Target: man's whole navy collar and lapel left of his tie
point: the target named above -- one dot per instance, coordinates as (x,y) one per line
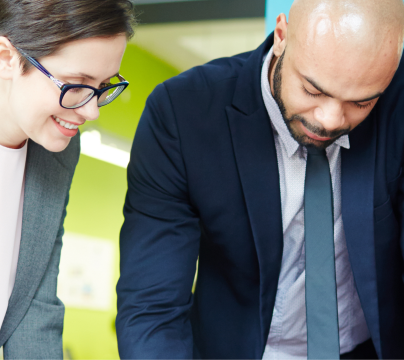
(255,154)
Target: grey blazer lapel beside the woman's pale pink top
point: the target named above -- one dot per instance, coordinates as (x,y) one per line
(46,185)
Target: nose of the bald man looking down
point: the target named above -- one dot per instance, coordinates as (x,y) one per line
(330,115)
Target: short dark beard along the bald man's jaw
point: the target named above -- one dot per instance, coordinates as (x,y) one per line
(302,139)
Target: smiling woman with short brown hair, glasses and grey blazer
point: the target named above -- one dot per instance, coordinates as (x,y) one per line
(59,62)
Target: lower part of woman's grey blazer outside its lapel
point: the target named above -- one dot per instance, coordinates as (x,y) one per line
(39,335)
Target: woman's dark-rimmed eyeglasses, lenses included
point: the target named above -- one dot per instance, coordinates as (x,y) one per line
(75,95)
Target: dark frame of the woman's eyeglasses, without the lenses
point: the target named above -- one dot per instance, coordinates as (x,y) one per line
(64,88)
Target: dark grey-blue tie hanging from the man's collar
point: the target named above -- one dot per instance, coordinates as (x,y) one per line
(321,289)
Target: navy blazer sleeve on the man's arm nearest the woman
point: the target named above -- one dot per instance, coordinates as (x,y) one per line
(159,242)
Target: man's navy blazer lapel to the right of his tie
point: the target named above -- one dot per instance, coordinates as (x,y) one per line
(357,177)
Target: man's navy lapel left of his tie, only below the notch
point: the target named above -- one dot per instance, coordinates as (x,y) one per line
(257,165)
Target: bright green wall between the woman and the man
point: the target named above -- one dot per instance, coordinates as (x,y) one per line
(97,197)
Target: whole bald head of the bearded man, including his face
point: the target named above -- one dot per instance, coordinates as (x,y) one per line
(332,62)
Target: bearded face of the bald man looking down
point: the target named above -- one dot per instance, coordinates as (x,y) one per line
(325,94)
